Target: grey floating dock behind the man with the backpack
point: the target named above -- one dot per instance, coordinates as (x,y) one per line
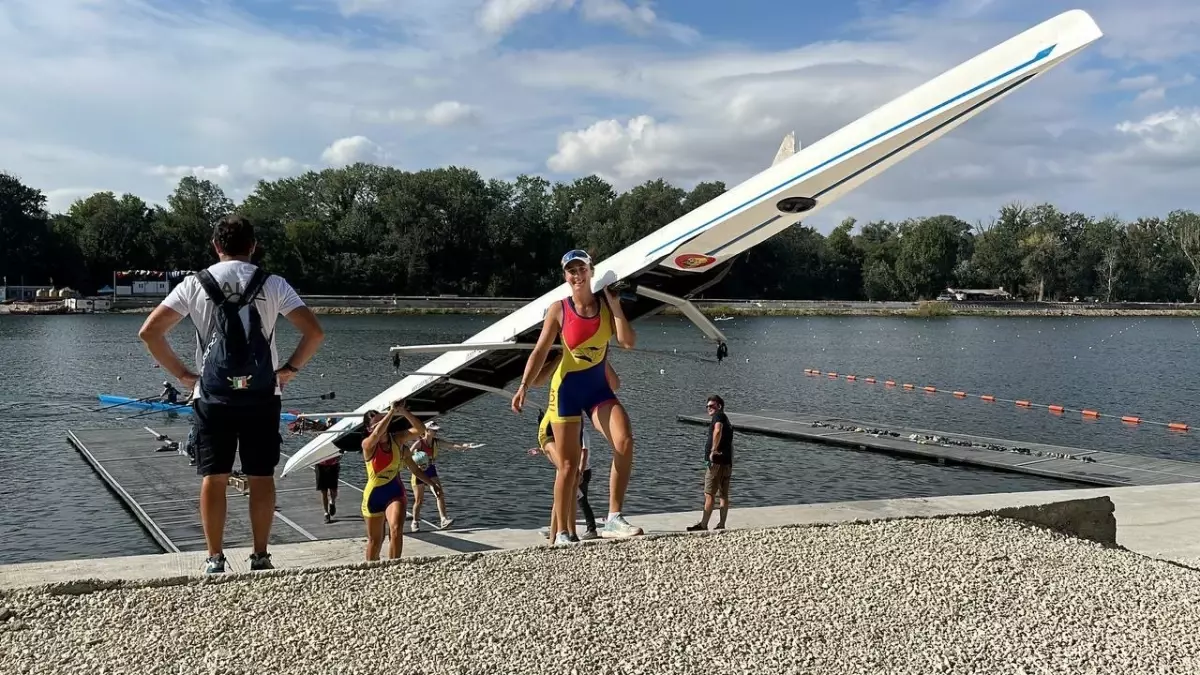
(163,491)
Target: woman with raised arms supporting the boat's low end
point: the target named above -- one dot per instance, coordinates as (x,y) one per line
(385,498)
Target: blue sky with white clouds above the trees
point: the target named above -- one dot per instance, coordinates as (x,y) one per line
(131,95)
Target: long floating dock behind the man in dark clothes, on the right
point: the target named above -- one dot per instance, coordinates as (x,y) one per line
(1093,468)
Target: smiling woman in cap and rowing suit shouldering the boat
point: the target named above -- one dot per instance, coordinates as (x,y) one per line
(585,322)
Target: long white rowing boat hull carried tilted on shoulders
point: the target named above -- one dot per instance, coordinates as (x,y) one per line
(693,253)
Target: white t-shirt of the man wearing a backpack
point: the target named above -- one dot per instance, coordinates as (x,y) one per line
(277,298)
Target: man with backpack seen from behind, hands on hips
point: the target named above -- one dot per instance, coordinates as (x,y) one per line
(235,306)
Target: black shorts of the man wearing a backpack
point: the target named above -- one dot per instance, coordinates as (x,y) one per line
(251,432)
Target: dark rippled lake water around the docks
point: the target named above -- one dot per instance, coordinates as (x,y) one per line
(52,505)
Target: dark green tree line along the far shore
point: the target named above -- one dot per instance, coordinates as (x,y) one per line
(374,230)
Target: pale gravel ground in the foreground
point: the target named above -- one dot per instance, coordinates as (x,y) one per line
(913,596)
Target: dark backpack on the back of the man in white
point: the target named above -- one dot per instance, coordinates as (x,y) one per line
(237,368)
